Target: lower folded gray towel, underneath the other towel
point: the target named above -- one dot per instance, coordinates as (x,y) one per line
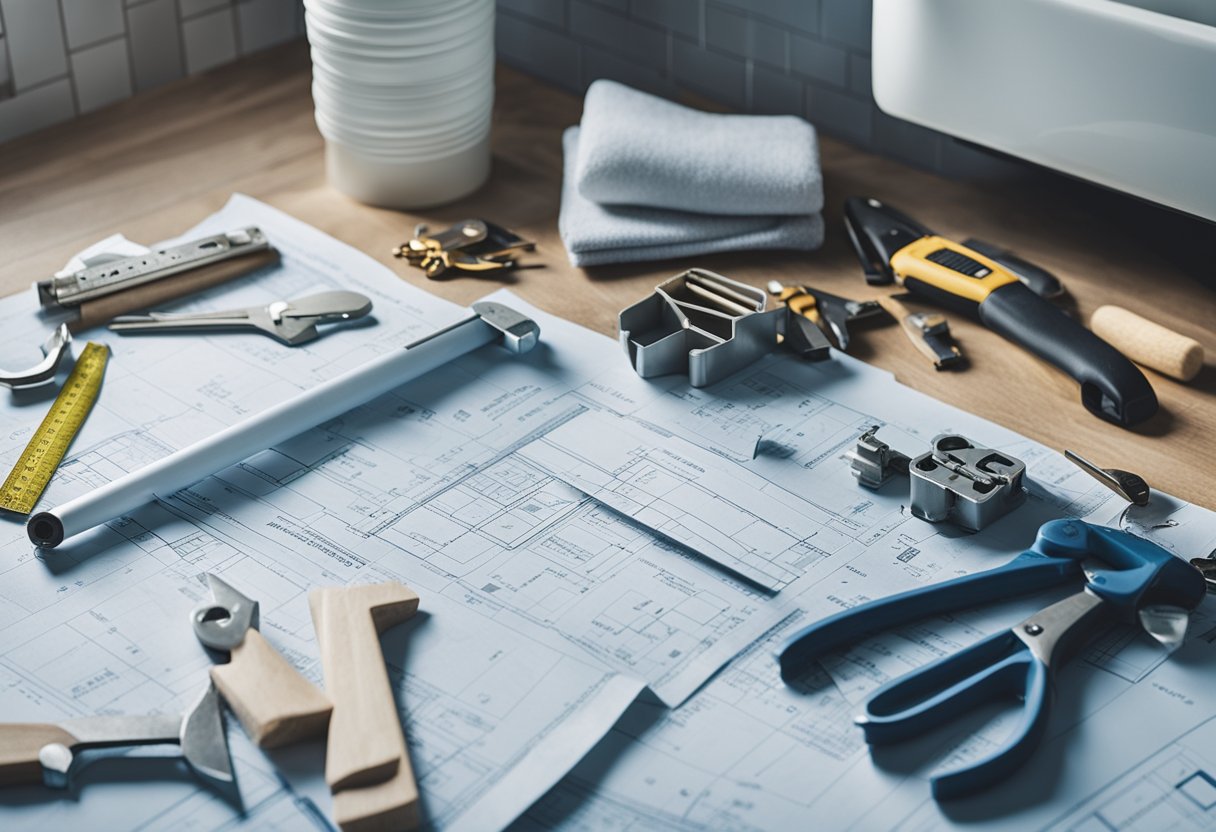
(595,234)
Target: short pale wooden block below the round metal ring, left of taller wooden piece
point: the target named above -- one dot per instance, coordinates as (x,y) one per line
(275,704)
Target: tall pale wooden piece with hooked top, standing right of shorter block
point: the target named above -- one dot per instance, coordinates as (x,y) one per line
(367,762)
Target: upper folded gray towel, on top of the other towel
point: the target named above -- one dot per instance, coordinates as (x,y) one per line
(641,150)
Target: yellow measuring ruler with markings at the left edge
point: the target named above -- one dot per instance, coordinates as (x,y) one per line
(37,464)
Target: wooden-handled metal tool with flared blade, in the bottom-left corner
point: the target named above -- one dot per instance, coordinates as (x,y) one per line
(50,752)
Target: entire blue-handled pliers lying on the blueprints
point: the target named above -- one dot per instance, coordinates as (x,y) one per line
(1124,575)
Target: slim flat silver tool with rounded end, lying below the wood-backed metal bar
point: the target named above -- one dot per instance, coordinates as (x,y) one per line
(290,322)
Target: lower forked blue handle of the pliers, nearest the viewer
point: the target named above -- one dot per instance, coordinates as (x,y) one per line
(999,667)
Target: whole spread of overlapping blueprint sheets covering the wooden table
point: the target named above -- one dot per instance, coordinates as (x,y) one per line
(604,563)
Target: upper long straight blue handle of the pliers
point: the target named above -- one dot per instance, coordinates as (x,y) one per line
(1027,574)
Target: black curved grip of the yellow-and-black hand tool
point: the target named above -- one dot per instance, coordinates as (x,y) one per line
(1112,387)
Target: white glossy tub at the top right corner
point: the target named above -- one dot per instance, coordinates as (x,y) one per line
(1112,92)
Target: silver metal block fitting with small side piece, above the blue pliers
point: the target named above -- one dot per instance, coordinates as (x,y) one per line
(956,481)
